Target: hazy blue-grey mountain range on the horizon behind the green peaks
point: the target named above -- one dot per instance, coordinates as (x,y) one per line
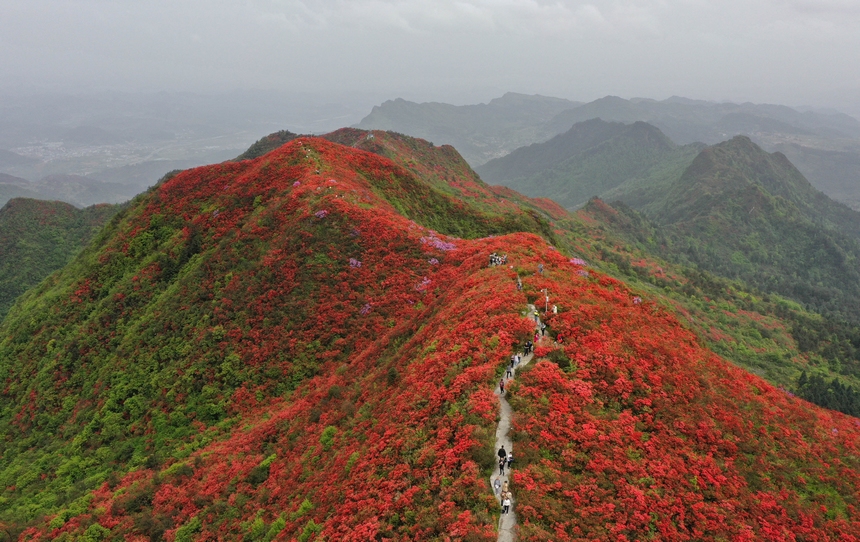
(824,146)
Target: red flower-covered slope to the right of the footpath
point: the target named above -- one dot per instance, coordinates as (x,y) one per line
(630,429)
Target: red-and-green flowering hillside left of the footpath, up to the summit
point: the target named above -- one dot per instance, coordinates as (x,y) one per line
(284,289)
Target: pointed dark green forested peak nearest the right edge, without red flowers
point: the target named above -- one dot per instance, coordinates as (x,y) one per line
(742,213)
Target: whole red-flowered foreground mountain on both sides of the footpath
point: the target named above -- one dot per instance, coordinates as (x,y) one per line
(303,346)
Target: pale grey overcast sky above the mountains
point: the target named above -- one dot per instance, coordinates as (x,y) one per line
(793,52)
